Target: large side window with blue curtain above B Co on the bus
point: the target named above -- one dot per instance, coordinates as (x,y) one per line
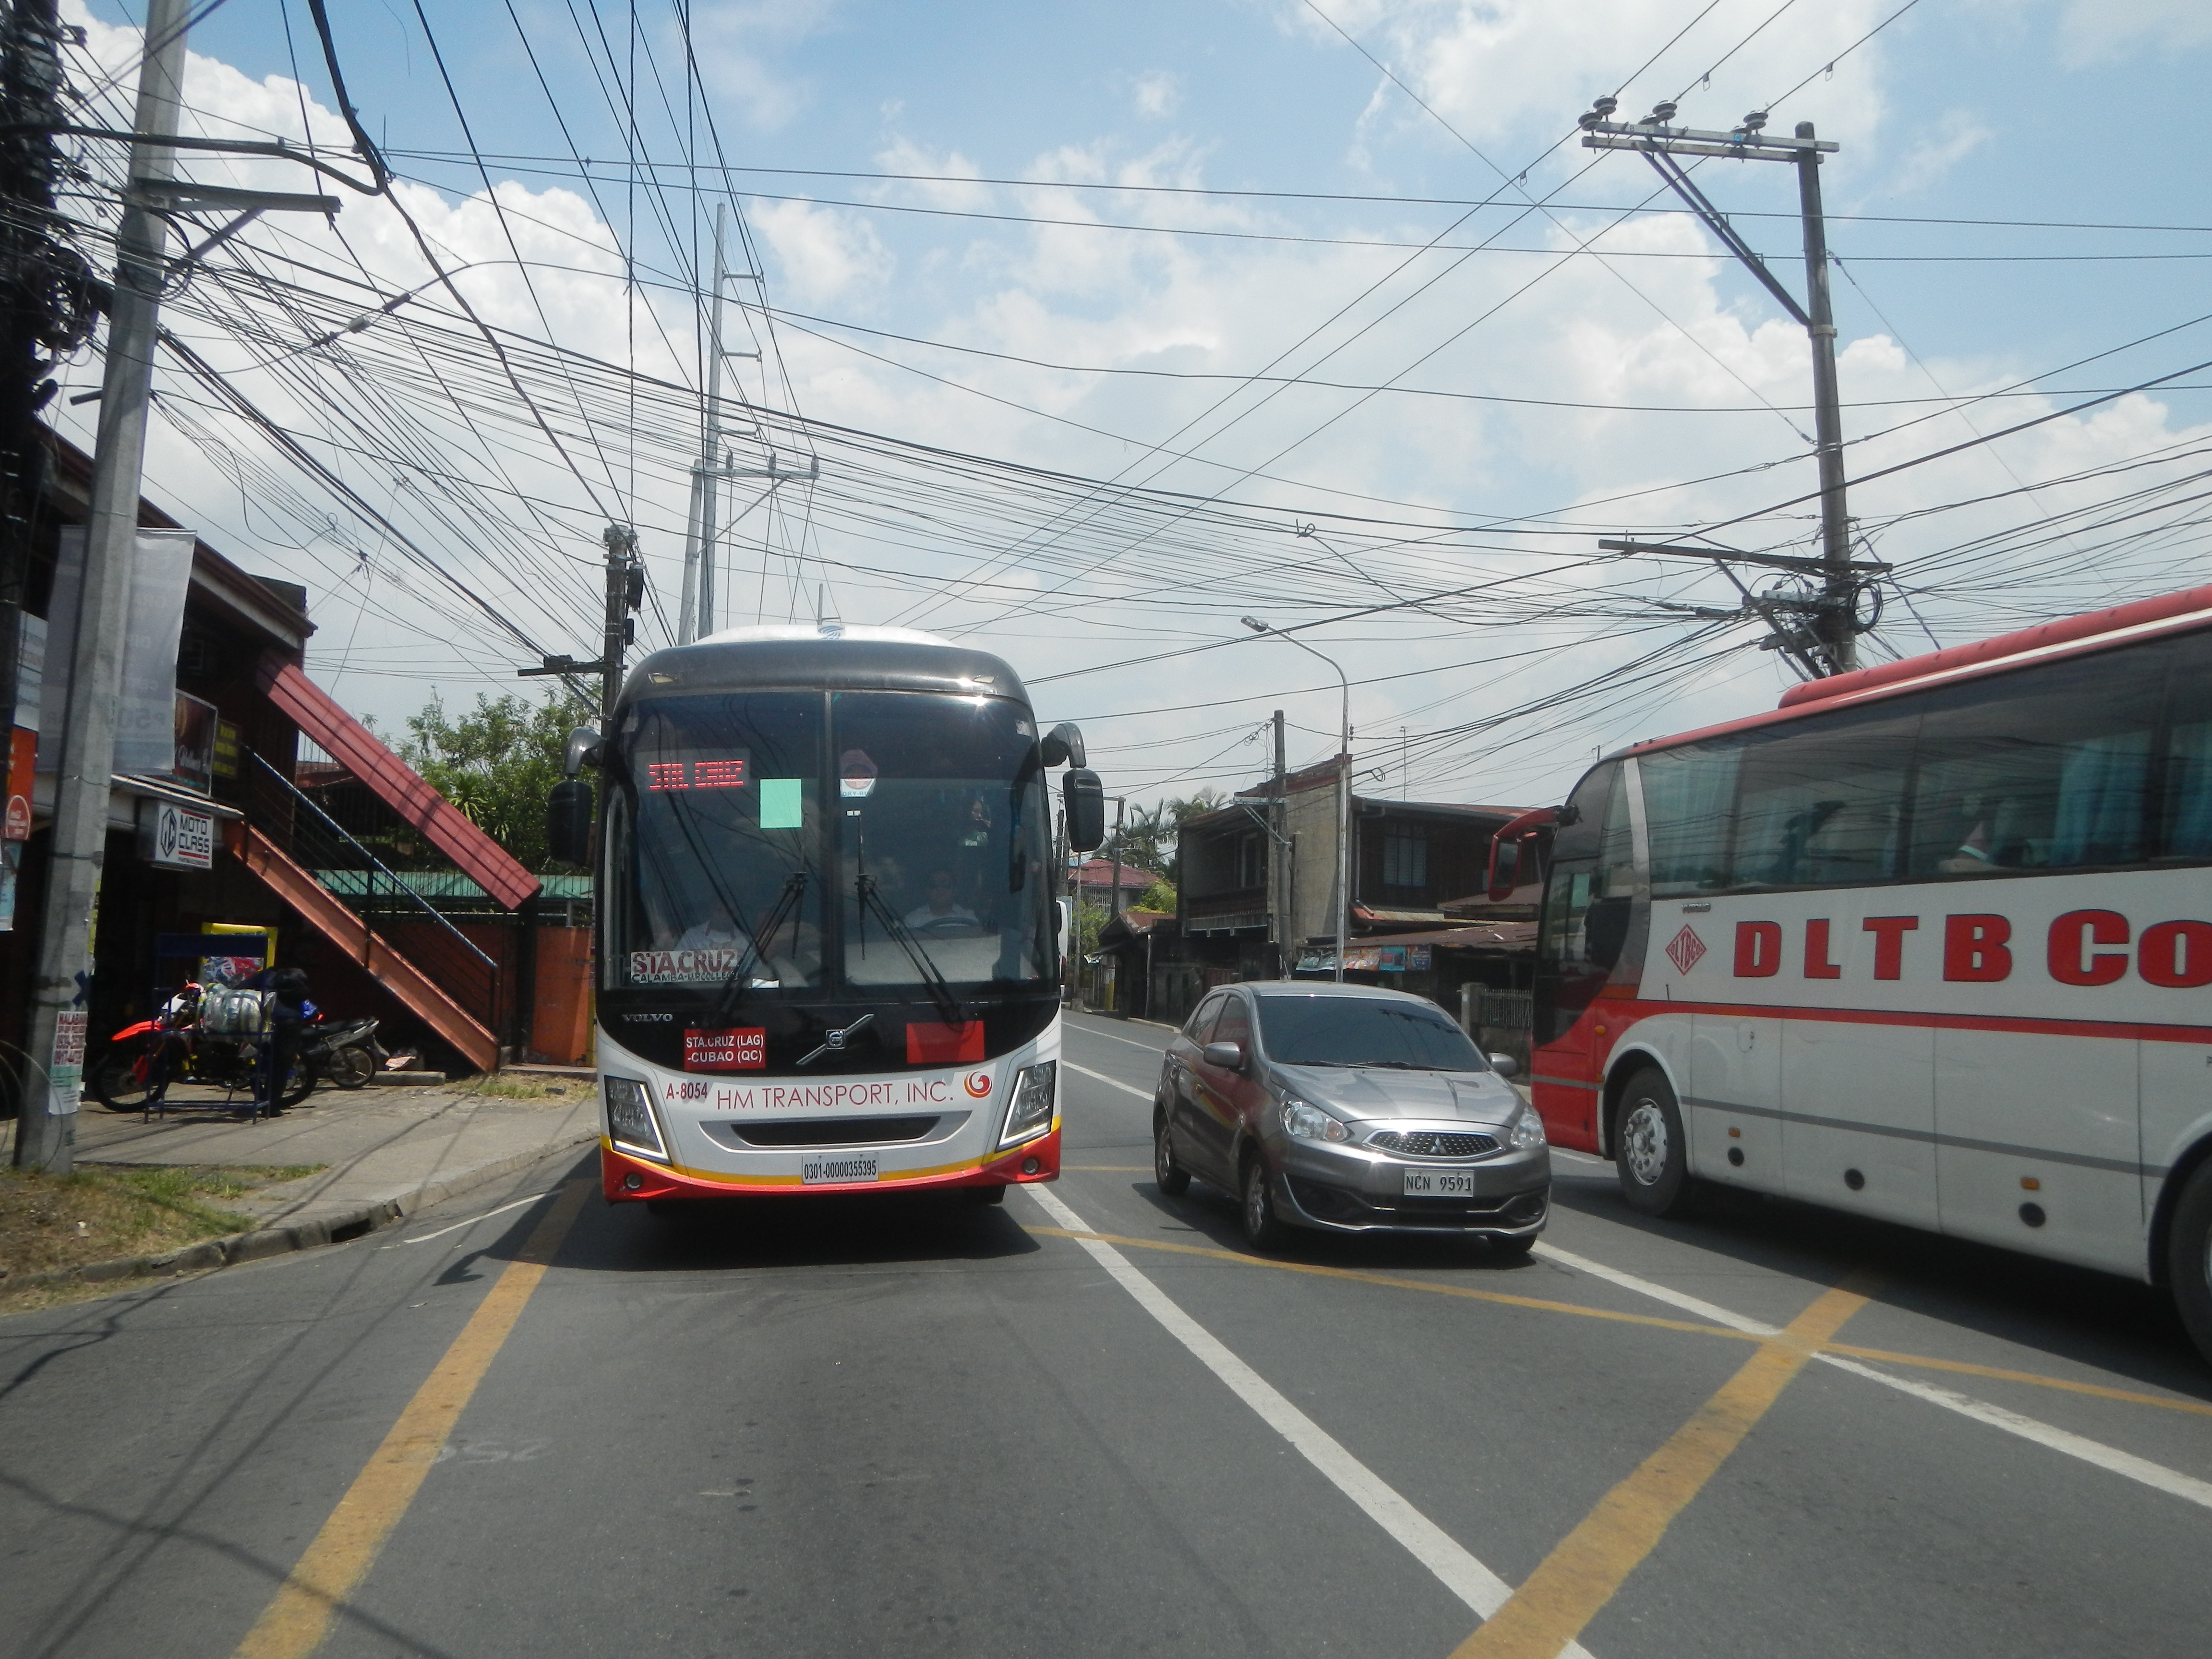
(2045,769)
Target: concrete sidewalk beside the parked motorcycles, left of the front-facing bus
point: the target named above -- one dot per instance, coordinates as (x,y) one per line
(386,1151)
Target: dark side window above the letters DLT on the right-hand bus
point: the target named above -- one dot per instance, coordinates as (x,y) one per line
(1824,804)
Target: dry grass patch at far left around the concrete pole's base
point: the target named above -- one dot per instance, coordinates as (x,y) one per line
(52,1222)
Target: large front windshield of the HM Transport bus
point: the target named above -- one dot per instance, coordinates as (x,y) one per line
(778,844)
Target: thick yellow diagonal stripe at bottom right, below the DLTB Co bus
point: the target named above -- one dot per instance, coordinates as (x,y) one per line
(1592,1563)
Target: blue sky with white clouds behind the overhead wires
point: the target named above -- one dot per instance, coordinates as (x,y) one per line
(1959,112)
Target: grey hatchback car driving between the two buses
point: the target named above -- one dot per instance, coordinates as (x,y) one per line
(1348,1109)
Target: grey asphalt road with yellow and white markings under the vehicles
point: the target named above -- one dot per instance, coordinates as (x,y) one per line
(915,1428)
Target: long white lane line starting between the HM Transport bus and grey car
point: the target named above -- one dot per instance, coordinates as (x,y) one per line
(1415,1532)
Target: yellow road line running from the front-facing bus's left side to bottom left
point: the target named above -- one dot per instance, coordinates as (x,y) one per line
(300,1616)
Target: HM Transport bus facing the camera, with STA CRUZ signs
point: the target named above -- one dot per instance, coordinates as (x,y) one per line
(828,932)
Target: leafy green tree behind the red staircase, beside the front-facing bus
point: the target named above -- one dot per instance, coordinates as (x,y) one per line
(499,764)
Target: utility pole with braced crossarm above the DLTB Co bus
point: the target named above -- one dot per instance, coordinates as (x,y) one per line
(1660,143)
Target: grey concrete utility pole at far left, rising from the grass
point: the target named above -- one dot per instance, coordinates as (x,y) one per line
(48,1120)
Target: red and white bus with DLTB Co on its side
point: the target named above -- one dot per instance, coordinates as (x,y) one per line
(1930,943)
